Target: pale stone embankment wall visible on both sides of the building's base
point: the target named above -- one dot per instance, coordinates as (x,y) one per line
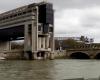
(19,54)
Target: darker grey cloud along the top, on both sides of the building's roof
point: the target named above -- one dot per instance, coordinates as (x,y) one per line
(58,4)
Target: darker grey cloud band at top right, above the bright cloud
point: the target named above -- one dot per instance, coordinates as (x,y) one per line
(76,3)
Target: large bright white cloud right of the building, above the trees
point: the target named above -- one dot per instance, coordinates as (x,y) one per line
(77,22)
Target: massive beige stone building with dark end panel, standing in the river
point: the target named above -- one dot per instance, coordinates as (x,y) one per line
(35,23)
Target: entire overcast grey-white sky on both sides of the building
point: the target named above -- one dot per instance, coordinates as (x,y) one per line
(72,17)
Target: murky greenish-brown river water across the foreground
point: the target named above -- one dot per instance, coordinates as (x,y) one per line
(49,70)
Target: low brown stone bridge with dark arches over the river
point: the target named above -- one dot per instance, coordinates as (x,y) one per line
(83,53)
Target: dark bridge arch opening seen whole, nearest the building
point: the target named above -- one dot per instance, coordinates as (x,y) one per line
(79,55)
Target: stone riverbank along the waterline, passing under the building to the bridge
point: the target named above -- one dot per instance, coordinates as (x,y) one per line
(19,54)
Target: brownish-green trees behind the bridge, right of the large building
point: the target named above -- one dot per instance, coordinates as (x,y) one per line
(71,43)
